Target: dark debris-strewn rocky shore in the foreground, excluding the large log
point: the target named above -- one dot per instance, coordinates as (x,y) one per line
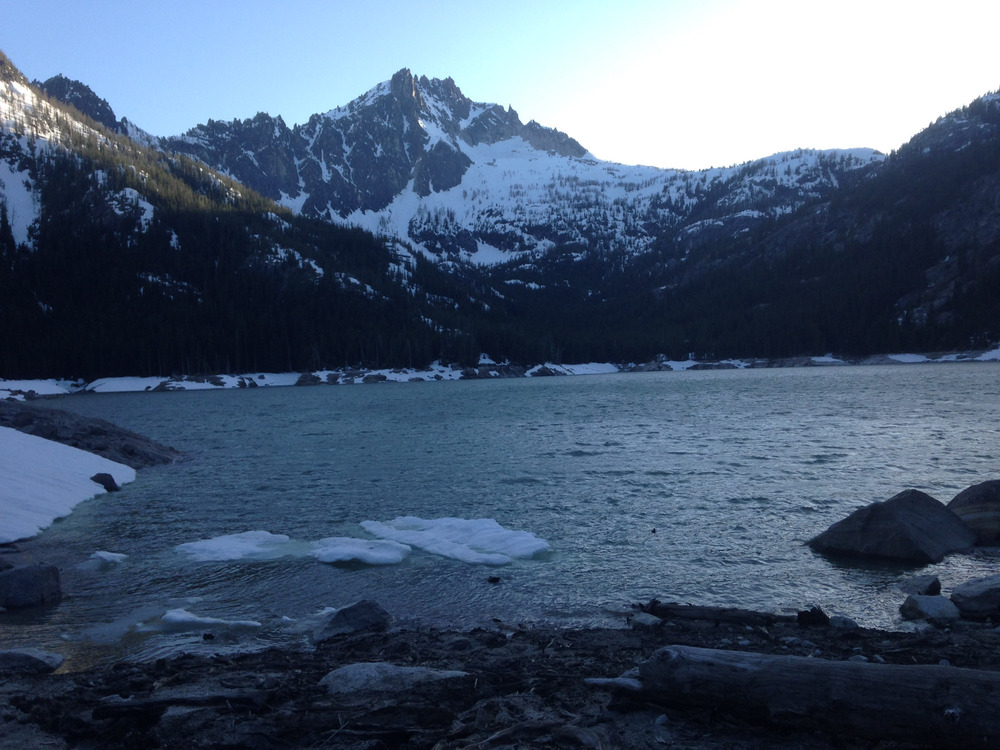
(506,687)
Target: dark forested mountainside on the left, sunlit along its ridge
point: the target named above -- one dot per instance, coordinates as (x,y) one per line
(116,258)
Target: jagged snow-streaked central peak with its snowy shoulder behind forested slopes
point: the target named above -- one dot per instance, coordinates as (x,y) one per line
(416,160)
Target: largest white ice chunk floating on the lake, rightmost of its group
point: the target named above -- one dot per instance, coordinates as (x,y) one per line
(481,540)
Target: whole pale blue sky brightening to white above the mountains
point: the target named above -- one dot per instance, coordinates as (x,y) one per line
(668,83)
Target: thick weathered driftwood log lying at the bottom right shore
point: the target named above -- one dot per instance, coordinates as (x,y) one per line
(926,704)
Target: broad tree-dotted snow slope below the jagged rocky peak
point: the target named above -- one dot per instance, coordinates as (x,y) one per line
(517,200)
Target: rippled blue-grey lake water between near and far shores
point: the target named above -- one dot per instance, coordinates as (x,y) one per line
(698,487)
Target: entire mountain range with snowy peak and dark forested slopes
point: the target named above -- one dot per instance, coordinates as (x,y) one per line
(415,224)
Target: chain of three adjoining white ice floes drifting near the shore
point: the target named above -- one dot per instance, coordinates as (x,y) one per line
(479,541)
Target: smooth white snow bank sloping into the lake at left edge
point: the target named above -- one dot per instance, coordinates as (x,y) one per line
(41,480)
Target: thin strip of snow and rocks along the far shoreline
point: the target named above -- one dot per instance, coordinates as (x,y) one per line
(486,369)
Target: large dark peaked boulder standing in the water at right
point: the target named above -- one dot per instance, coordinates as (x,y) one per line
(910,527)
